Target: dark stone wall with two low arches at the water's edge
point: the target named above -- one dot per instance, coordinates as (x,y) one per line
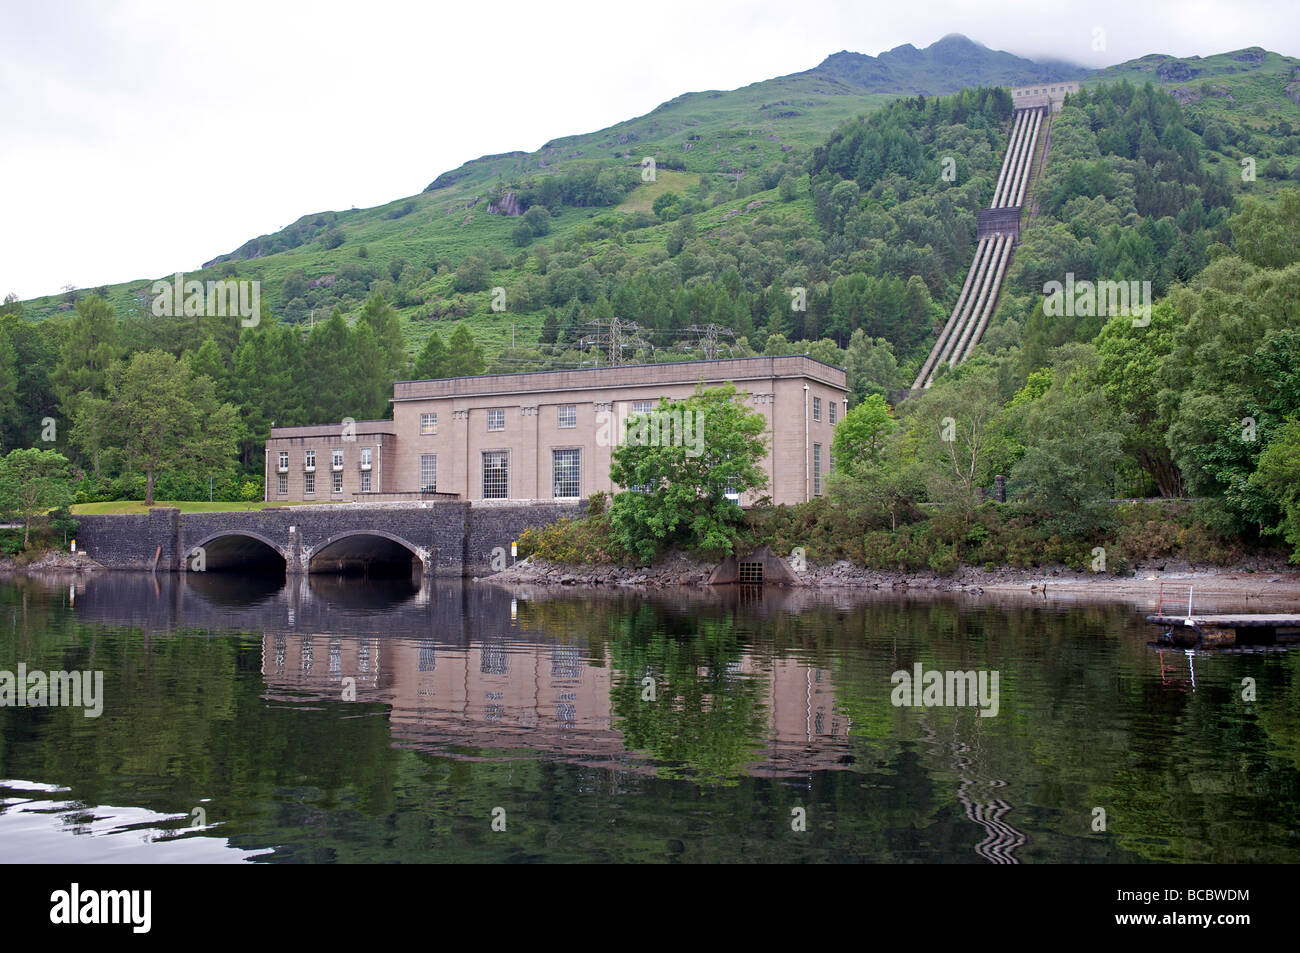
(440,539)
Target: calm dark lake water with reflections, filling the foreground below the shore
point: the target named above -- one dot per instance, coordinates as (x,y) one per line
(613,727)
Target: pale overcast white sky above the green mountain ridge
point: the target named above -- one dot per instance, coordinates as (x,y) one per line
(145,137)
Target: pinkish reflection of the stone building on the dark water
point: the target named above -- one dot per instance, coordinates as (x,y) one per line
(500,696)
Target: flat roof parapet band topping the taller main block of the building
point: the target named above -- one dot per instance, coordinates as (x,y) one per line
(626,375)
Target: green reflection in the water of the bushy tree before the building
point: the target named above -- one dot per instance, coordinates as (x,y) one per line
(708,718)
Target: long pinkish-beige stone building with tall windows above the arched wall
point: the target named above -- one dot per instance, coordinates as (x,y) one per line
(551,435)
